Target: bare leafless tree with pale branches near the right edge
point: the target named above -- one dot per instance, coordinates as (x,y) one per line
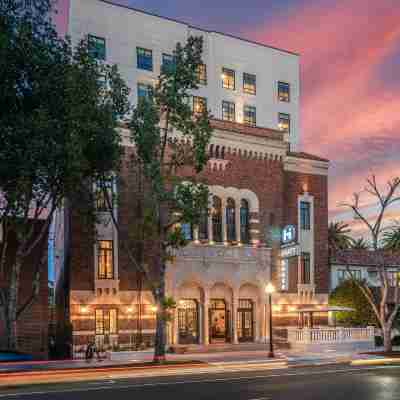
(387,304)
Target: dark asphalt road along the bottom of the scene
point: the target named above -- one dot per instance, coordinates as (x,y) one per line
(327,383)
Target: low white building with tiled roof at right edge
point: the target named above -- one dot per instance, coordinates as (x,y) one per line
(363,265)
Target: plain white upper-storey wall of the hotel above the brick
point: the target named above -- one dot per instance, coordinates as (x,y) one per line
(124,30)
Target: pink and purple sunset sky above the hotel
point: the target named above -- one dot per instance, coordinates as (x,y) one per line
(350,73)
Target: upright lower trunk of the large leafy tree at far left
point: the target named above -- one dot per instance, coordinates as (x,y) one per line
(11,314)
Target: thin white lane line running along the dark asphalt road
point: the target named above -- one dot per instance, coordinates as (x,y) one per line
(194,381)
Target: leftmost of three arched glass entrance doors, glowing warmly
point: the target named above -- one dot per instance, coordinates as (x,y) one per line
(188,322)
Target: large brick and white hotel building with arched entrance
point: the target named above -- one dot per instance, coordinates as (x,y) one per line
(269,214)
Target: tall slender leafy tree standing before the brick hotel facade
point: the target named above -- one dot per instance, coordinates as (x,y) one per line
(170,141)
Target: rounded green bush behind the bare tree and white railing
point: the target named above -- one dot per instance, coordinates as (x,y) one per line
(348,294)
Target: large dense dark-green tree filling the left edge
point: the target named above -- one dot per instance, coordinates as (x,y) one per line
(59,110)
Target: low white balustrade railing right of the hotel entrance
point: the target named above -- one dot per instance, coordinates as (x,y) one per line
(331,335)
